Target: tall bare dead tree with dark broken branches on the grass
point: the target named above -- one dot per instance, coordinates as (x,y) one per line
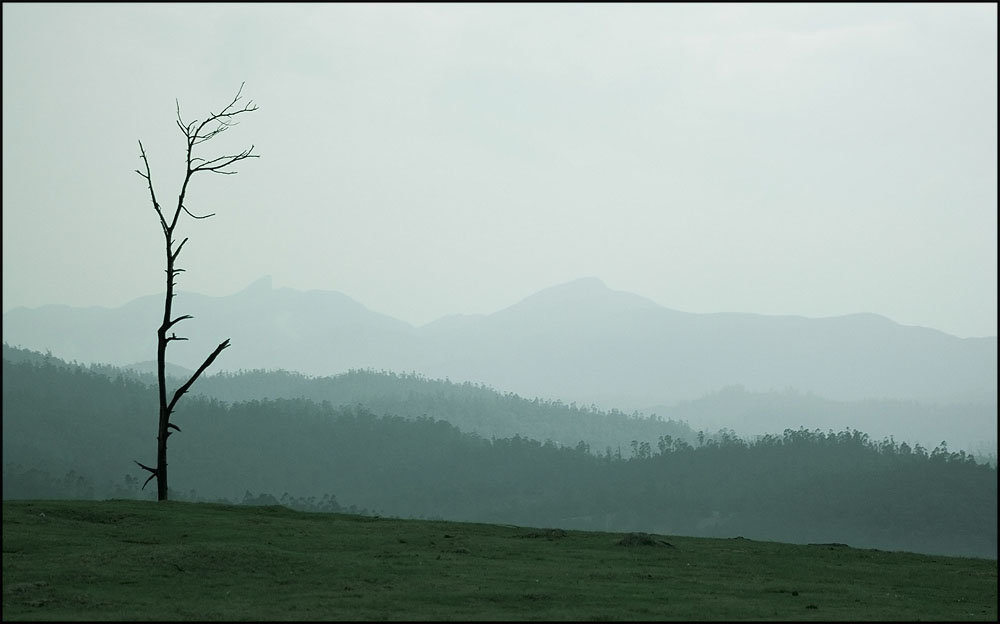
(196,133)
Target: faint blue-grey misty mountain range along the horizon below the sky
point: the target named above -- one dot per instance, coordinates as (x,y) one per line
(579,341)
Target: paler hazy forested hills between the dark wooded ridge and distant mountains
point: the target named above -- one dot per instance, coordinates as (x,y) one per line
(483,410)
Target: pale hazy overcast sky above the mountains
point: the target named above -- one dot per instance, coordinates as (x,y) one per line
(815,160)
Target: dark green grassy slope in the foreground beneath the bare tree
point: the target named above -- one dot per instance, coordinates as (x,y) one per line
(130,560)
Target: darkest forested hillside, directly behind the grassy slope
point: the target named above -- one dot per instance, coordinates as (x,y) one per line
(796,486)
